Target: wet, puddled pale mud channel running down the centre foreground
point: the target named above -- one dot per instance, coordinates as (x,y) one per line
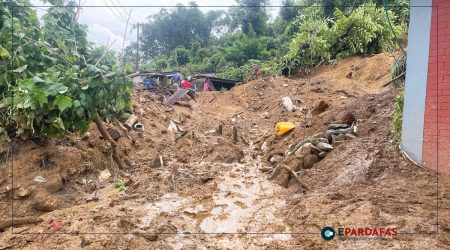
(242,210)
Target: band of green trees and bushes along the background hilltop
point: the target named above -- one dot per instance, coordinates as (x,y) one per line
(304,34)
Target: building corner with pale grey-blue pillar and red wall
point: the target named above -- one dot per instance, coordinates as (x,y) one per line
(426,115)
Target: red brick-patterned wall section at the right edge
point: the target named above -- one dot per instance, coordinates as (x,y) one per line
(436,142)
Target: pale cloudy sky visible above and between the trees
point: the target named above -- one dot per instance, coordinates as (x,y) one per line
(108,23)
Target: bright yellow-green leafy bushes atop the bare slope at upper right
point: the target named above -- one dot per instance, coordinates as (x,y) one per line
(364,31)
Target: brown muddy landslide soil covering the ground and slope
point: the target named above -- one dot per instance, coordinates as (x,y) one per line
(191,187)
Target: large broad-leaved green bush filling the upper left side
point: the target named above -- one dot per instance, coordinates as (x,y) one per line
(52,79)
